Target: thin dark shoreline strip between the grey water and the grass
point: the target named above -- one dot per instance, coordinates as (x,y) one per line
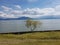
(30,32)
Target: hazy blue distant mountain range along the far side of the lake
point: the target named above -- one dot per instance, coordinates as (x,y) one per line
(41,17)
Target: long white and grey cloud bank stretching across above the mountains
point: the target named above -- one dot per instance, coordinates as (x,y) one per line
(30,12)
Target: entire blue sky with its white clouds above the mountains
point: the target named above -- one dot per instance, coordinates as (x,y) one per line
(29,8)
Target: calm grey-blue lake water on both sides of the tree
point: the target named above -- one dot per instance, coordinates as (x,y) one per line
(19,25)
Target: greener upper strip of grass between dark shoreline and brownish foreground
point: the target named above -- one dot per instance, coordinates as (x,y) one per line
(36,35)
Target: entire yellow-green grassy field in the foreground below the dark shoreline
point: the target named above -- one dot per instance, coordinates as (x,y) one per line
(37,38)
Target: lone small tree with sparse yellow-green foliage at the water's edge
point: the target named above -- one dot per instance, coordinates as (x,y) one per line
(32,24)
